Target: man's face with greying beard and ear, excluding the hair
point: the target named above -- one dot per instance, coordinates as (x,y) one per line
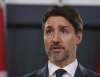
(60,39)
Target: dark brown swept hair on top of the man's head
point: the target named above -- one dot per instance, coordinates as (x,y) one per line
(68,13)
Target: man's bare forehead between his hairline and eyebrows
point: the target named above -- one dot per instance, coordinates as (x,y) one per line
(57,21)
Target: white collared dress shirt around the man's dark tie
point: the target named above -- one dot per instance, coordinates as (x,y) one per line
(71,68)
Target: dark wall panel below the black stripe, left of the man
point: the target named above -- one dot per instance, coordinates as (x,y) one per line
(25,50)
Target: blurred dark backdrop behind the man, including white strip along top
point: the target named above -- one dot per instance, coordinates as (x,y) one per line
(25,51)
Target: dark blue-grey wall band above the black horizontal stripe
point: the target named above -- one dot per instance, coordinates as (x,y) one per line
(33,14)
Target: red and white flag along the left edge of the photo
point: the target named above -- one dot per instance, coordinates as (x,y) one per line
(3,70)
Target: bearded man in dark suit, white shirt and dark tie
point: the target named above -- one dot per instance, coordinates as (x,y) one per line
(63,28)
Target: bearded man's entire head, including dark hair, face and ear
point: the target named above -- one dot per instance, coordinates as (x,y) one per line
(63,28)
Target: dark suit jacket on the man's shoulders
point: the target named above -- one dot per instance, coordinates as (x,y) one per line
(80,72)
